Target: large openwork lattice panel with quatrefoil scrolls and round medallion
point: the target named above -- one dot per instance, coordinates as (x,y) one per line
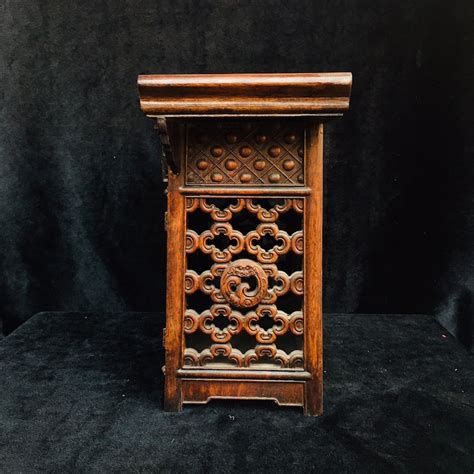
(244,283)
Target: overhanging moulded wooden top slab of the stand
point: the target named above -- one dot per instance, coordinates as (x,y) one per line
(243,94)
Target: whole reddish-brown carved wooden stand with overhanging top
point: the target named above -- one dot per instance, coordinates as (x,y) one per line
(244,172)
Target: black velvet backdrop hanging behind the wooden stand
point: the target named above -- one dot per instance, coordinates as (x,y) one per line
(81,202)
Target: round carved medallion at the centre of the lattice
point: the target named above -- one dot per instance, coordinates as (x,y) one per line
(244,283)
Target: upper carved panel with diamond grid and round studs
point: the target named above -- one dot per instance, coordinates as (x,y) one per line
(233,153)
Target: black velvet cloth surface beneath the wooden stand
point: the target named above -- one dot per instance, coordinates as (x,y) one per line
(83,393)
